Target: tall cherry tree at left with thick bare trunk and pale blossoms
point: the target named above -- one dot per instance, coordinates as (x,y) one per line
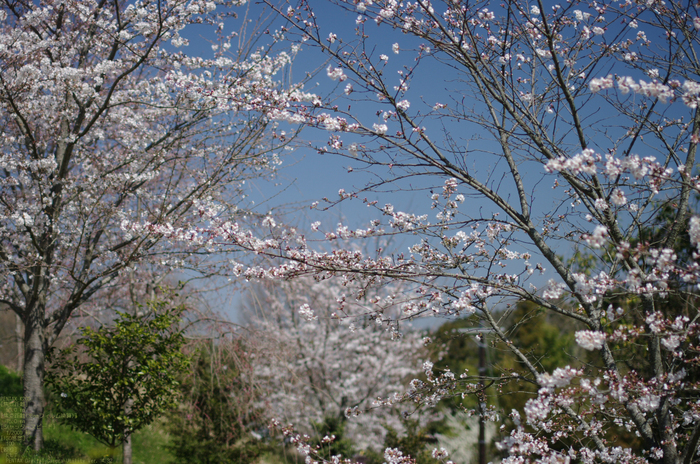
(112,138)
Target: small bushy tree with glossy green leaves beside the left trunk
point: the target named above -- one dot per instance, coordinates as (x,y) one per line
(129,377)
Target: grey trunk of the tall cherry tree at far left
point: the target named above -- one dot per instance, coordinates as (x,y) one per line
(34,356)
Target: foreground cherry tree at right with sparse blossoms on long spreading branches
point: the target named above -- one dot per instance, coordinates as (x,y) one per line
(541,130)
